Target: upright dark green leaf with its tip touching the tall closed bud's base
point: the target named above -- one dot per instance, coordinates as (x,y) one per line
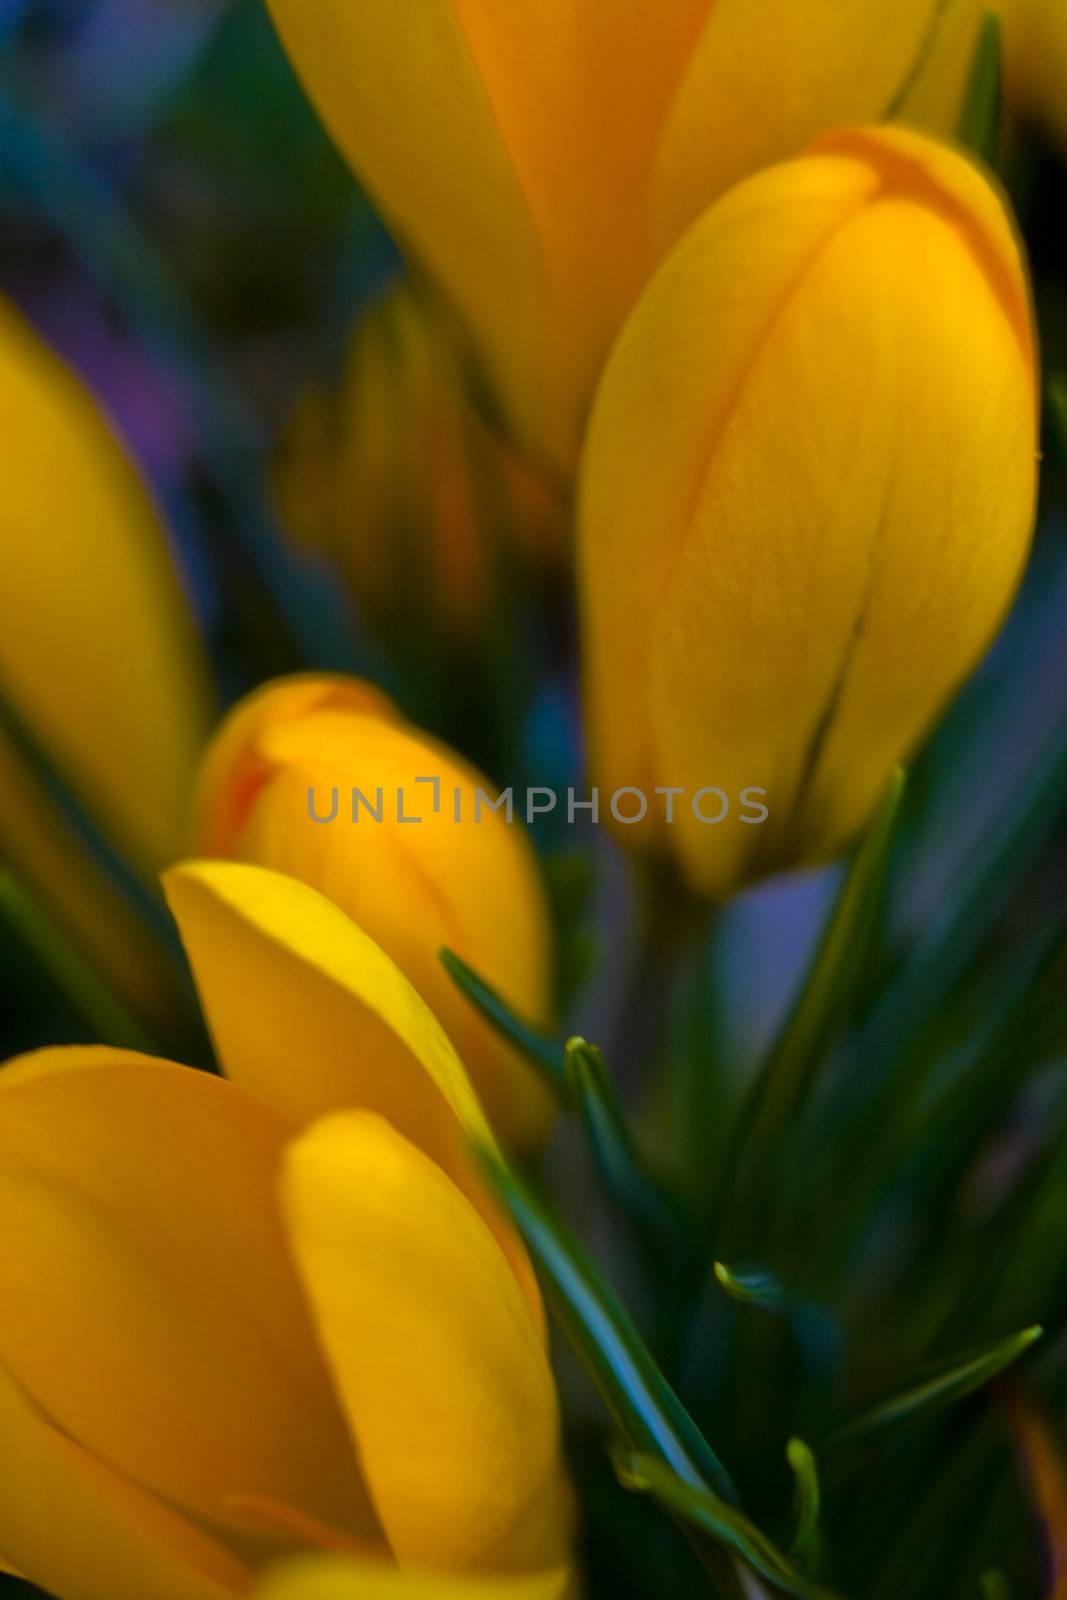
(786,1079)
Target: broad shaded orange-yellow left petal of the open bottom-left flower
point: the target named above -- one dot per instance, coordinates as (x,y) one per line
(138,1228)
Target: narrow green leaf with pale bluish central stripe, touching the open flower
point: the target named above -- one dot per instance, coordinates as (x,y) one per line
(605,1340)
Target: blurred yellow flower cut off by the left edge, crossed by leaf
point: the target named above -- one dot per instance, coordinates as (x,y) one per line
(98,655)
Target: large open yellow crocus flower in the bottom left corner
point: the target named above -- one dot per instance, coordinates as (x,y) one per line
(274,1314)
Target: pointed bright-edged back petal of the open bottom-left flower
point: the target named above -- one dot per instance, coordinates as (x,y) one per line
(310,1015)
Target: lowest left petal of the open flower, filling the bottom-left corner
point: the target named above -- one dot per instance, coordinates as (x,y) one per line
(84,1532)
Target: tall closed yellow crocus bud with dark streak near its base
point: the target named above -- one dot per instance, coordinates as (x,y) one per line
(807,498)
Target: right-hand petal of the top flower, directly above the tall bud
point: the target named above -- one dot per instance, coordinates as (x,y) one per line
(765,81)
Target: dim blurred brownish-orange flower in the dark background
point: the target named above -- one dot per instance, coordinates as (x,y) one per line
(404,482)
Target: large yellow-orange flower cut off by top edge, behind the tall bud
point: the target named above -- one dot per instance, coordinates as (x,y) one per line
(540,159)
